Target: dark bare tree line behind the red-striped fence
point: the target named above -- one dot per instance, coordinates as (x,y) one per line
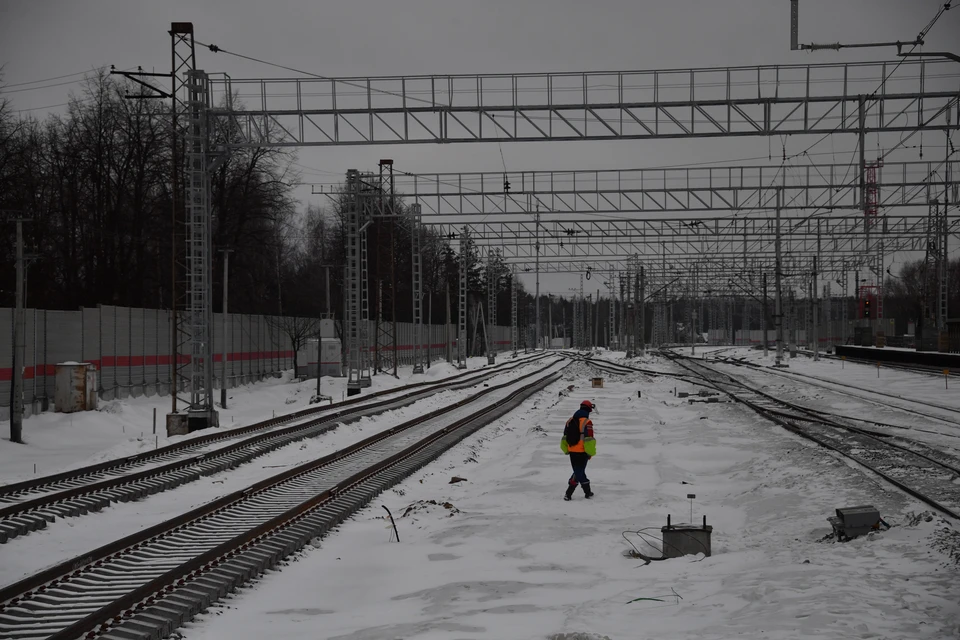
(106,224)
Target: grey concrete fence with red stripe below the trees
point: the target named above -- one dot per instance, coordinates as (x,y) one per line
(131,350)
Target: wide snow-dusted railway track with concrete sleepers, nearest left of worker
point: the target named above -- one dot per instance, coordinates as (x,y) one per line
(148,584)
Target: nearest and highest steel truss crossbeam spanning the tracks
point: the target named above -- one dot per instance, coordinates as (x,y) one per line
(598,105)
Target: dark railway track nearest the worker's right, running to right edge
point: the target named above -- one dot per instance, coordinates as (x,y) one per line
(925,473)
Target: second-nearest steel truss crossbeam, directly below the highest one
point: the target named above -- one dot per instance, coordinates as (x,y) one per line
(451,197)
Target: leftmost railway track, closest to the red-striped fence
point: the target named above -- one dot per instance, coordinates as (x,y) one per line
(29,506)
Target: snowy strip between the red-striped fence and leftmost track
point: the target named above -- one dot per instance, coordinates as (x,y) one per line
(57,442)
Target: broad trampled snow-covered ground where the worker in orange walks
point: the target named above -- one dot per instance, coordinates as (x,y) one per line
(501,556)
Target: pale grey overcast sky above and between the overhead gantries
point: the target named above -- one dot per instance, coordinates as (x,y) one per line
(49,38)
